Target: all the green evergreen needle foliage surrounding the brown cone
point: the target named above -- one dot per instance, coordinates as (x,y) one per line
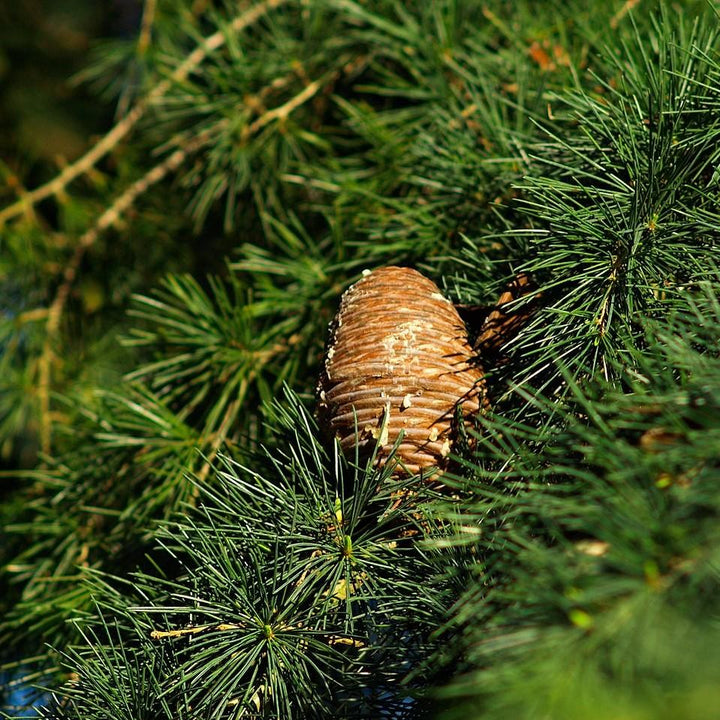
(178,539)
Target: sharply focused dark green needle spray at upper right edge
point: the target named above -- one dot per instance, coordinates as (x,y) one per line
(617,207)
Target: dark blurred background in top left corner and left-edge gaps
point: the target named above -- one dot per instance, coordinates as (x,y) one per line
(47,119)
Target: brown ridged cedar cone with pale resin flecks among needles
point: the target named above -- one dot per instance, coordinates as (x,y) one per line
(398,360)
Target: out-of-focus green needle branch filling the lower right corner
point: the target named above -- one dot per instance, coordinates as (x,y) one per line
(600,544)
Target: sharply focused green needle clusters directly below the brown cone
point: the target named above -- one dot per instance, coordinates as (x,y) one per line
(289,597)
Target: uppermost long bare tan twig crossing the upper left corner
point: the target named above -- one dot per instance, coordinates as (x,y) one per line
(83,164)
